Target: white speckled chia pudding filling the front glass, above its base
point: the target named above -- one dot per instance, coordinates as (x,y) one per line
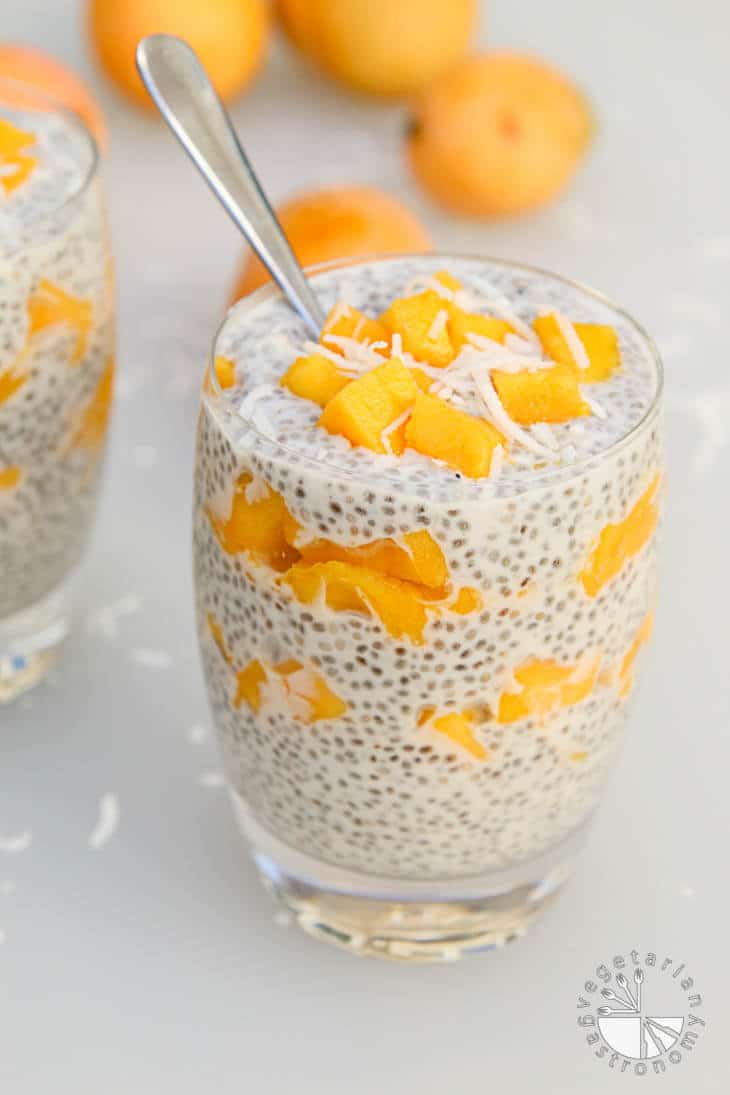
(557,552)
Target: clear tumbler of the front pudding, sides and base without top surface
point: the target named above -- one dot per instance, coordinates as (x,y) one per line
(375,831)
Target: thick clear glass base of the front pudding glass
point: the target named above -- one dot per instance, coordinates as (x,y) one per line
(403,920)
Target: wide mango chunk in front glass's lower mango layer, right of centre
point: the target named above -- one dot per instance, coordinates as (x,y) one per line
(544,687)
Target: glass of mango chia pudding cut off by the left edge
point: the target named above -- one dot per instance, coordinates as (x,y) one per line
(56,372)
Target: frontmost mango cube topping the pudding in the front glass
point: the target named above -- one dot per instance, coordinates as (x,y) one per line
(445,433)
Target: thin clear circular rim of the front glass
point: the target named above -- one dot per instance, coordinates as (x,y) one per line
(562,472)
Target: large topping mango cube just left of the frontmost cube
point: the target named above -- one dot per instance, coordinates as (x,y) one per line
(368,406)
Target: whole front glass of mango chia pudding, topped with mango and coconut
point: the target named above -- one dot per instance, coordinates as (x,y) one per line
(425,562)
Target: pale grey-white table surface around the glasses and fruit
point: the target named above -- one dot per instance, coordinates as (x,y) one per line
(154,965)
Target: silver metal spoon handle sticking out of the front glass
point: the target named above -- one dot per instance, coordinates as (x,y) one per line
(188,101)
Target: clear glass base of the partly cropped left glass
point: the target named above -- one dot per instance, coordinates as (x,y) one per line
(31,642)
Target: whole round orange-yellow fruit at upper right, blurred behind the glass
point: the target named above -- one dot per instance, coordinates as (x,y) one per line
(499,134)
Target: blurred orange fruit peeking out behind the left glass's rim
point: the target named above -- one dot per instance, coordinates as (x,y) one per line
(50,77)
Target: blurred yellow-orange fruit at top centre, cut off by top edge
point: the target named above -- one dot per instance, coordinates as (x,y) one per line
(383,48)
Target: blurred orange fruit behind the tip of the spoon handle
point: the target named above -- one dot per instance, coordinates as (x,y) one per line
(230,38)
